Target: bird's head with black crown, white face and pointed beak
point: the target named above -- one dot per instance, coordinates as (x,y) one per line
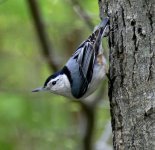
(57,83)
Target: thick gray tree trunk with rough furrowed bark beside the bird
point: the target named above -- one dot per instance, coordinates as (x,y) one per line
(132,72)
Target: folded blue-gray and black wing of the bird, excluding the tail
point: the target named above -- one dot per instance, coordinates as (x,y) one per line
(84,58)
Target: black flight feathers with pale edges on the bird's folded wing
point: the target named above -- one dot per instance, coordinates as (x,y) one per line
(85,57)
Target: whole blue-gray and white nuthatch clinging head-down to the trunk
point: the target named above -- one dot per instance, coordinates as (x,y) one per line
(84,70)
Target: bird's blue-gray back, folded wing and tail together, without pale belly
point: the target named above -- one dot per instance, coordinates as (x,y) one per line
(82,61)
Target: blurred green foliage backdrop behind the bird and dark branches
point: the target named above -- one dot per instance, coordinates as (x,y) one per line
(40,121)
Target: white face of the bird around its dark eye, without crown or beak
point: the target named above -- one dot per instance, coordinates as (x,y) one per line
(59,85)
